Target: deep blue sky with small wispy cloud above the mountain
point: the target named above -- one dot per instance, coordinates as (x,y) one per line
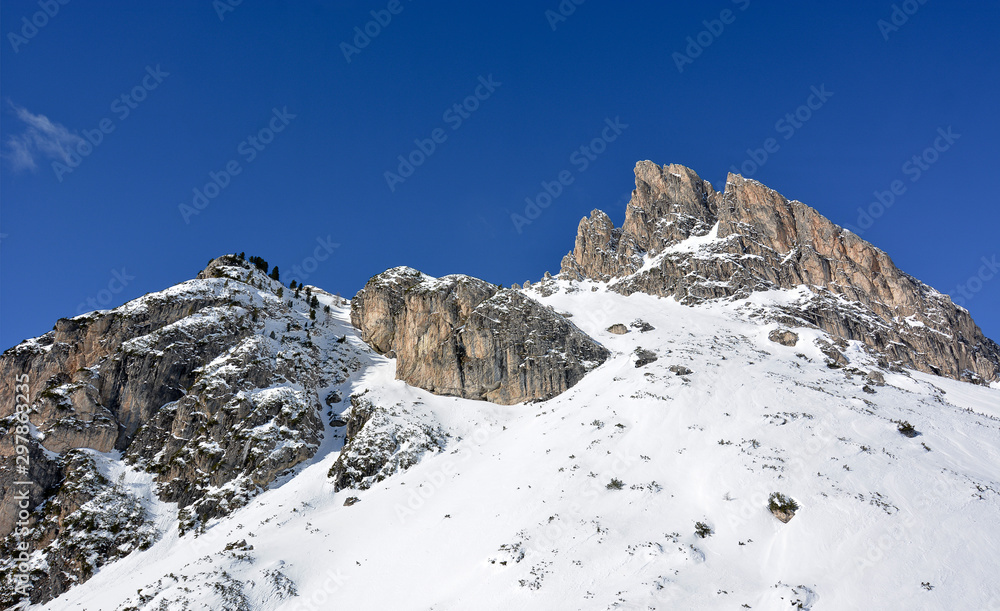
(258,108)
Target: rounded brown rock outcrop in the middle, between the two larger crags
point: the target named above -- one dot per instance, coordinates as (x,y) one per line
(464,337)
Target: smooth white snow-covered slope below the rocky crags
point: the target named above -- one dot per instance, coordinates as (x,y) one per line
(590,500)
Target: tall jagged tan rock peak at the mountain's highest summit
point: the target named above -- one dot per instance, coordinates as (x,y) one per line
(682,239)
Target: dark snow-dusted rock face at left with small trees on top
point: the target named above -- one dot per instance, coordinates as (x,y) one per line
(212,387)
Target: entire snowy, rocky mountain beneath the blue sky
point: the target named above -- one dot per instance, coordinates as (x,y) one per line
(727,403)
